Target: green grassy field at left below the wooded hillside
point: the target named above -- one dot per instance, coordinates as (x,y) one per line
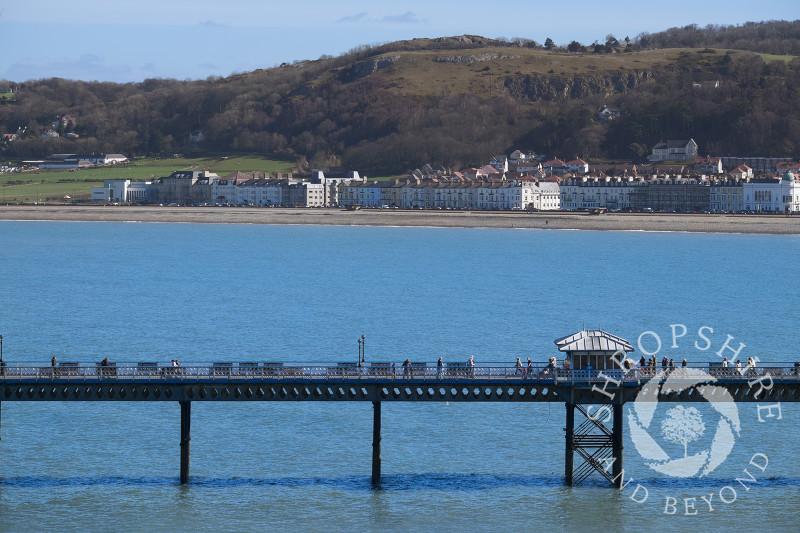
(53,185)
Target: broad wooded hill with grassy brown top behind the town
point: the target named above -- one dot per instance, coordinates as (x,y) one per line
(453,100)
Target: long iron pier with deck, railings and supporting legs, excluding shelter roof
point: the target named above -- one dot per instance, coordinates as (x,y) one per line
(591,439)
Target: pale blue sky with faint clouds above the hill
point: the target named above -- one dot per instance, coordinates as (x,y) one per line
(126,41)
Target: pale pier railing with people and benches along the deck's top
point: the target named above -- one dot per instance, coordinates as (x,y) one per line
(377,372)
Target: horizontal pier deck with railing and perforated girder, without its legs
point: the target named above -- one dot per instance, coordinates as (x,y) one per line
(284,381)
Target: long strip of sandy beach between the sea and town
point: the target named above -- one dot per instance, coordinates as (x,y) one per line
(770,224)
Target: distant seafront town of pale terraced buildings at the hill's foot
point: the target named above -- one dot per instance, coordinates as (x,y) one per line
(675,179)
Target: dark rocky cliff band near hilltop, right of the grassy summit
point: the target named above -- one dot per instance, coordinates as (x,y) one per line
(535,88)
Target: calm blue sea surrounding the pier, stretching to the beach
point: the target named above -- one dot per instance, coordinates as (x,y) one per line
(82,291)
